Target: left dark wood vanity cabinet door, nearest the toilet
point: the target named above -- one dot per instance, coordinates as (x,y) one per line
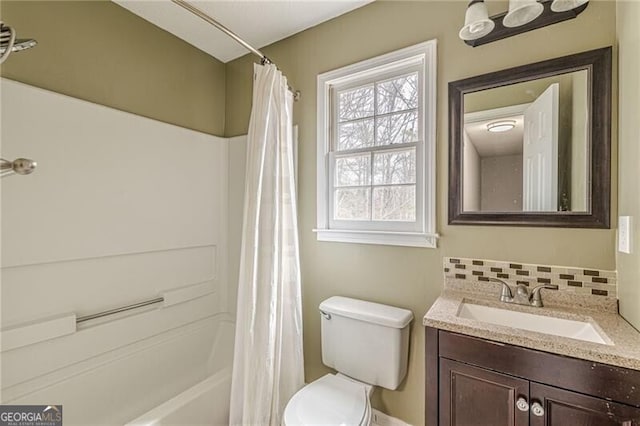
(471,396)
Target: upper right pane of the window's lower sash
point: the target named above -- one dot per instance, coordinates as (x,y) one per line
(394,167)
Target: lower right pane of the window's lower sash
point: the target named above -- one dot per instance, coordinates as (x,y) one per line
(394,203)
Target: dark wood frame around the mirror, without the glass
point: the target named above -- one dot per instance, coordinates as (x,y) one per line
(598,64)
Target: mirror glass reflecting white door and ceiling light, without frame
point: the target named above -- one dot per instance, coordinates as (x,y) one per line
(525,146)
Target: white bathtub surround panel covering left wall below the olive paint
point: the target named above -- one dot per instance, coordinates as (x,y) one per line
(123,209)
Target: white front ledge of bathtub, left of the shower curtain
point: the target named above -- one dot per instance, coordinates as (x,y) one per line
(206,403)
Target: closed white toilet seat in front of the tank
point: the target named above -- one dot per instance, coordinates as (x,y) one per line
(331,400)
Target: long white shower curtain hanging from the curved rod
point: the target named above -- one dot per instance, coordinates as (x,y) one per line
(268,362)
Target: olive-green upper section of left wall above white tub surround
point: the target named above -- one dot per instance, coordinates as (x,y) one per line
(101,52)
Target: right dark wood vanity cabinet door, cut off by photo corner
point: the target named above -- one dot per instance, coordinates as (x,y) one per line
(565,408)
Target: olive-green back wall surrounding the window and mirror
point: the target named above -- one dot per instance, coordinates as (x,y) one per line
(412,277)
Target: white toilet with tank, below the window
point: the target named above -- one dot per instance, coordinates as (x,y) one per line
(367,344)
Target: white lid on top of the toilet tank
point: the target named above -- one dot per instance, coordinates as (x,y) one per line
(375,313)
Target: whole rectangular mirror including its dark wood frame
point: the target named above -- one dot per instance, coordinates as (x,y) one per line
(530,146)
